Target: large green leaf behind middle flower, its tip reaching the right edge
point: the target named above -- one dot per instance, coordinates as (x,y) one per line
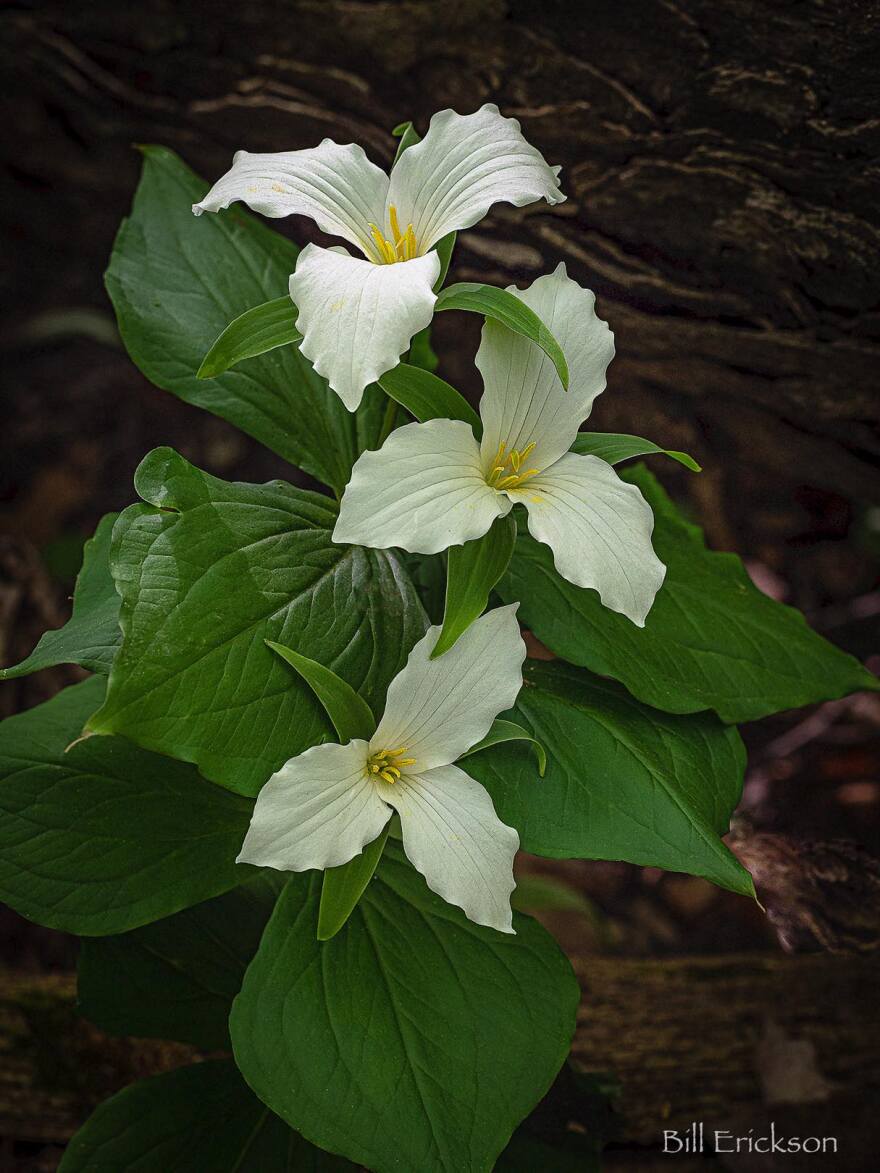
(712,641)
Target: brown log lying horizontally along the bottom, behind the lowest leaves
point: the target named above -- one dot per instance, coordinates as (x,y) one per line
(733,1042)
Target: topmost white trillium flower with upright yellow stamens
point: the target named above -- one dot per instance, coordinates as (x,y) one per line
(357,316)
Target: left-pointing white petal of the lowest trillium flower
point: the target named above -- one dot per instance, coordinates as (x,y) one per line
(320,811)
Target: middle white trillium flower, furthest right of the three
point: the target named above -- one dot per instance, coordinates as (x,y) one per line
(434,485)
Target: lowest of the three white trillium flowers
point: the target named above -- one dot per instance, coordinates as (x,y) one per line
(323,808)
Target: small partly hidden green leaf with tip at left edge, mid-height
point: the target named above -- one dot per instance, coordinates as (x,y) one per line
(92,635)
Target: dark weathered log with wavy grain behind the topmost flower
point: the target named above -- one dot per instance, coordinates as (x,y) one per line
(721,159)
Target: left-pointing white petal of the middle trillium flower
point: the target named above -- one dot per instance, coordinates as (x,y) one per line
(423,491)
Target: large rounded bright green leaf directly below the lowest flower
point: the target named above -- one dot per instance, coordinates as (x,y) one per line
(436,1035)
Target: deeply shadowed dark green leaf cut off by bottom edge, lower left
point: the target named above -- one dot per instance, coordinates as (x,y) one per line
(197,1120)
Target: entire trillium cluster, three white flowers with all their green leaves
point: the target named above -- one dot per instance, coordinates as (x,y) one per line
(274,691)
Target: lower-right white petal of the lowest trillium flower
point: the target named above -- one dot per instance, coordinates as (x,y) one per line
(455,838)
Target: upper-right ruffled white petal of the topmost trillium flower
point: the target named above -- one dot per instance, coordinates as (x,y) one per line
(464,166)
